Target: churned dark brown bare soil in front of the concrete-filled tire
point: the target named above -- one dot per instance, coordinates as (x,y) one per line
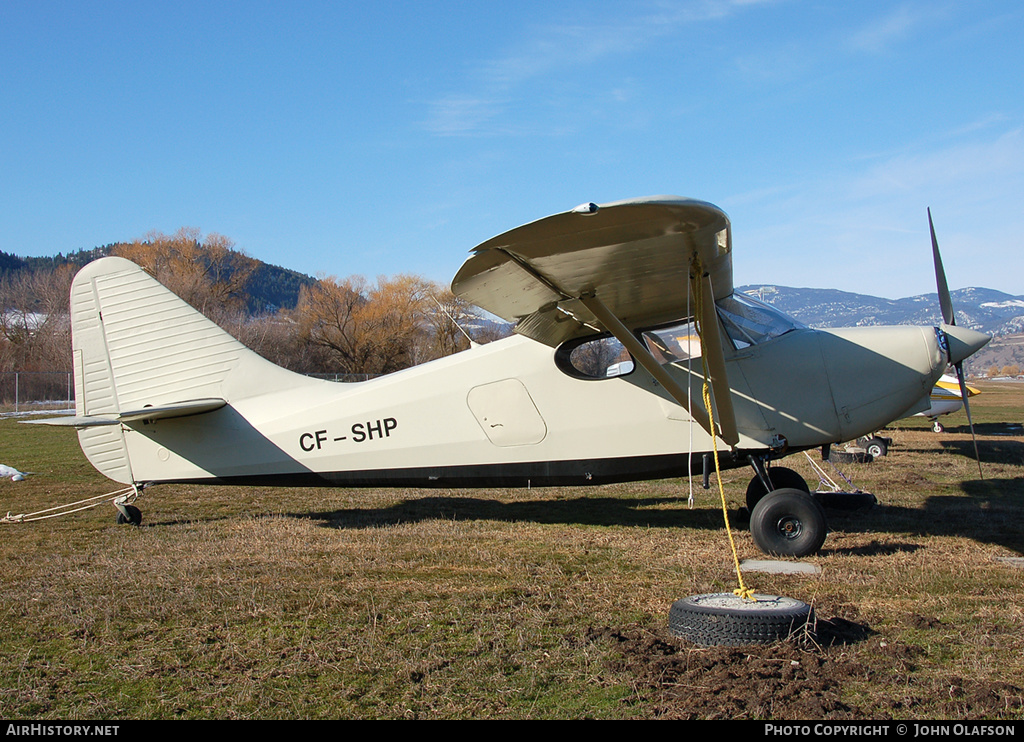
(805,678)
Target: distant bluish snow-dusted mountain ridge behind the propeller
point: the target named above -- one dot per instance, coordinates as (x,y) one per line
(988,311)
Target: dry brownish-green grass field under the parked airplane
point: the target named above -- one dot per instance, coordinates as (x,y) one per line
(247,603)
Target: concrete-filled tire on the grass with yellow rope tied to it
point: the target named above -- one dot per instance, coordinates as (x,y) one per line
(728,621)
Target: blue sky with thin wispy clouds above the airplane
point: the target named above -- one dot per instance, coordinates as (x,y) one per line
(376,139)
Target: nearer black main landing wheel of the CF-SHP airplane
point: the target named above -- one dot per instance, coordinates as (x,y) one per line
(789,523)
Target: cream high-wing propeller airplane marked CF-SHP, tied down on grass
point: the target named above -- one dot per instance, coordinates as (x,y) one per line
(621,311)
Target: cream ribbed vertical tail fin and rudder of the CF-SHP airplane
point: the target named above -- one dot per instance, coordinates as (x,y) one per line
(139,346)
